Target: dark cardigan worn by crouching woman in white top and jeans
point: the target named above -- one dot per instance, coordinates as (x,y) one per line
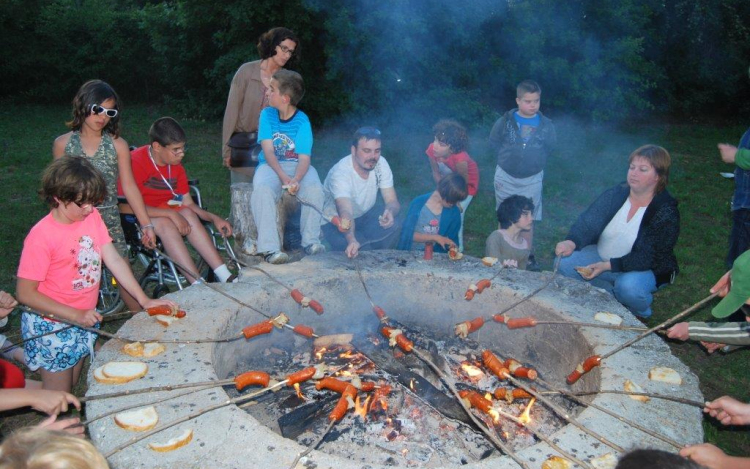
(653,248)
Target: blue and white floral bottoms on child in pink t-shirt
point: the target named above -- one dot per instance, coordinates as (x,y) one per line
(58,351)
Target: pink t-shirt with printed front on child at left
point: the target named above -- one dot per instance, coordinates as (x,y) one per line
(66,259)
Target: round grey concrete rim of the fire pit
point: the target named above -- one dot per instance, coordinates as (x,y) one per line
(412,291)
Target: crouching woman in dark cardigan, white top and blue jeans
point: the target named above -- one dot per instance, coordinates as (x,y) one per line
(624,242)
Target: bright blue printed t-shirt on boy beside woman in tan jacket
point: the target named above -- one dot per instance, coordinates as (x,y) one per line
(290,138)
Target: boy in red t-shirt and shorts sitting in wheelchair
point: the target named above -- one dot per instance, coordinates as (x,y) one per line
(162,180)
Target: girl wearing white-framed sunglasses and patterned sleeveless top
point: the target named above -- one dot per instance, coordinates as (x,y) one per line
(95,135)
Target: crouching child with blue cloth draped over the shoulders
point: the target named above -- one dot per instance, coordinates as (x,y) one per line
(434,218)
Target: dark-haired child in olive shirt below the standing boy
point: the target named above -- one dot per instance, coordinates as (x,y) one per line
(508,244)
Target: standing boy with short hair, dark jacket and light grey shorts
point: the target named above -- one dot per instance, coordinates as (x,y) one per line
(523,139)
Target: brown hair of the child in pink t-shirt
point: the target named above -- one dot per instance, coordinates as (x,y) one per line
(72,179)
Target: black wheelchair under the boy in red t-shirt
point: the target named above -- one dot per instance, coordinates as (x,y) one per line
(159,275)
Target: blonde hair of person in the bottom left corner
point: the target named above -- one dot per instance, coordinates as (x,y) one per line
(33,448)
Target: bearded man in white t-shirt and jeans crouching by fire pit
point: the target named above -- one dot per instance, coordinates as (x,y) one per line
(351,190)
